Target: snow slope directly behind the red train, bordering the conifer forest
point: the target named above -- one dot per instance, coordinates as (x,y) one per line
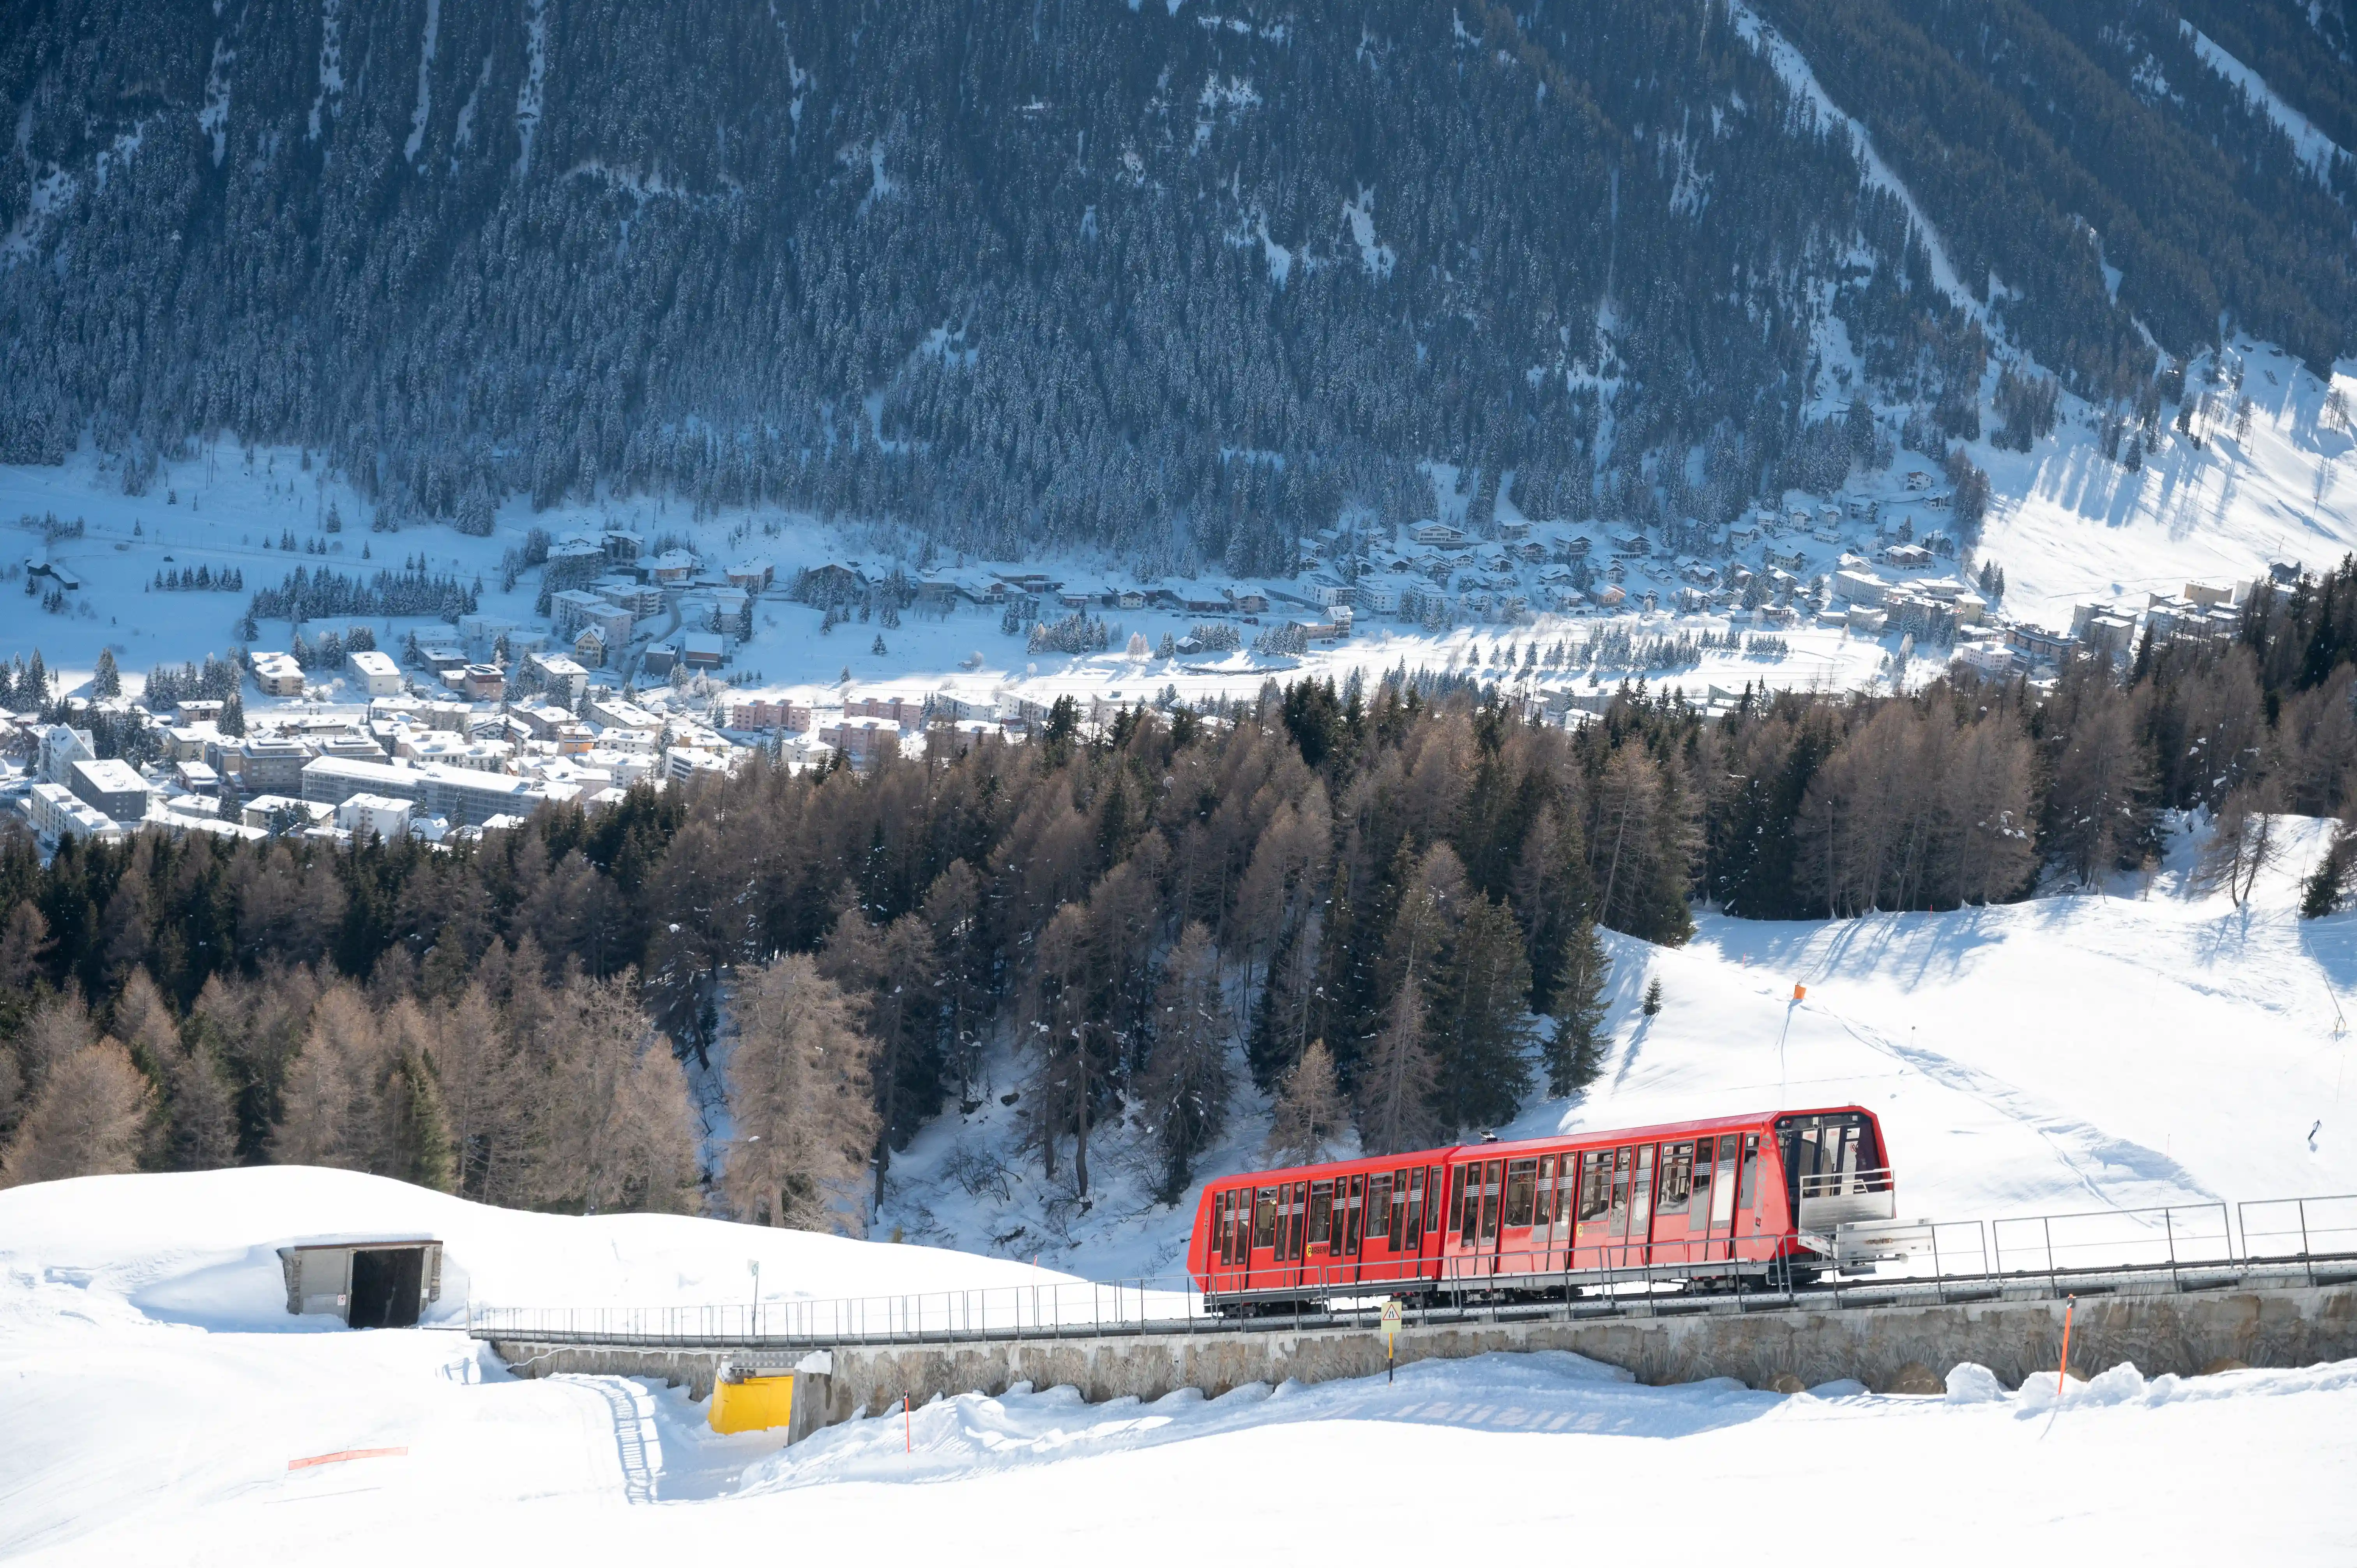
(2049,1058)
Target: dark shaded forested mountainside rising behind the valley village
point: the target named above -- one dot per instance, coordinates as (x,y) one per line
(1019,277)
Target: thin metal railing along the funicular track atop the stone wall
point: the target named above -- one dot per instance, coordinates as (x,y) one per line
(2210,1246)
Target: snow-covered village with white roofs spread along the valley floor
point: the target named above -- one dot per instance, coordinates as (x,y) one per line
(569,659)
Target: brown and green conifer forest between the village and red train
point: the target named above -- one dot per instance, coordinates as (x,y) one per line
(1380,907)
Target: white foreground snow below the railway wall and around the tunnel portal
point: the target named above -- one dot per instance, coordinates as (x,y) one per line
(154,1409)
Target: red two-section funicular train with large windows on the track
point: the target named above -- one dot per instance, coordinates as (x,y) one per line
(1703,1204)
